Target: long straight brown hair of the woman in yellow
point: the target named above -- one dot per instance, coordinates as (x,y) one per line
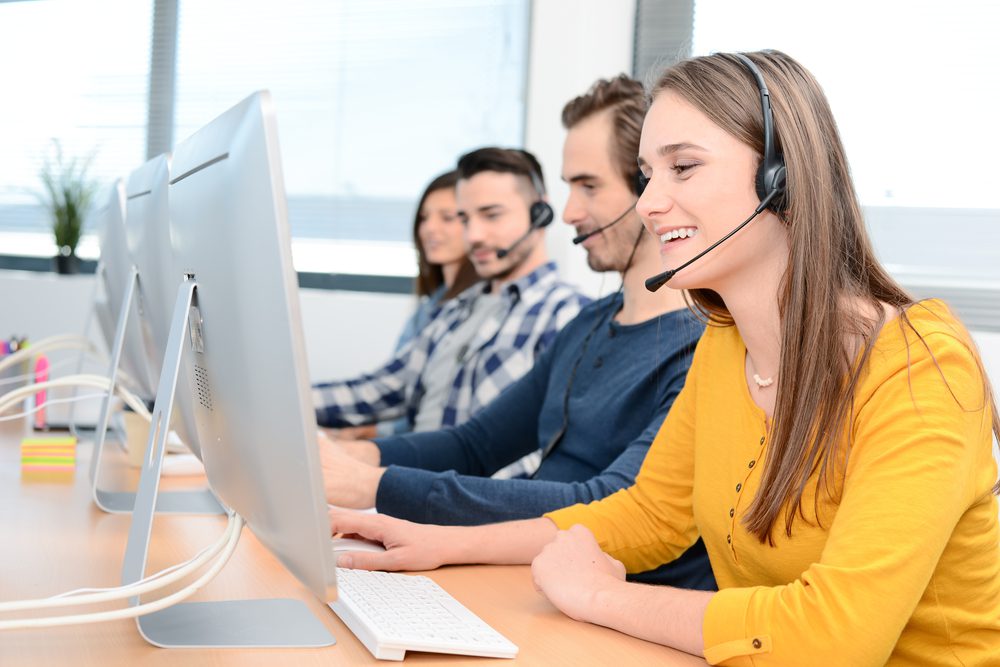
(831,266)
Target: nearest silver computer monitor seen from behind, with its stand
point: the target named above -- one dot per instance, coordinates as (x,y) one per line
(248,394)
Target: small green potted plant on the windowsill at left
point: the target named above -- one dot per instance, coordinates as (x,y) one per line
(67,195)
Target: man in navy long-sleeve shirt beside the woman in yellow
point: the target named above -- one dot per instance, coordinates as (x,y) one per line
(594,399)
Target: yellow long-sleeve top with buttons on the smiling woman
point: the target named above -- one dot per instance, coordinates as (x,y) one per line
(904,569)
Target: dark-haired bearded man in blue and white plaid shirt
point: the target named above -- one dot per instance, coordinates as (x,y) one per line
(487,337)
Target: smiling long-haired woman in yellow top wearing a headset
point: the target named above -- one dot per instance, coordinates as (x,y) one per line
(832,444)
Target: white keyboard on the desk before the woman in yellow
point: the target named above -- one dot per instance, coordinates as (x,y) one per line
(395,613)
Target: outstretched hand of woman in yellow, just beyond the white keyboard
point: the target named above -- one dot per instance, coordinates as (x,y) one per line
(409,546)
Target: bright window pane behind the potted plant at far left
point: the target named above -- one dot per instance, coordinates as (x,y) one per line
(77,75)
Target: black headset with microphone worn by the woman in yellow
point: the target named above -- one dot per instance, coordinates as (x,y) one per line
(769,181)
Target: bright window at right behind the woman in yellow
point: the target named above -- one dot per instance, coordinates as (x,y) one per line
(913,88)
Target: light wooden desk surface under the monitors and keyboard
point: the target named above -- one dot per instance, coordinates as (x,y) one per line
(54,539)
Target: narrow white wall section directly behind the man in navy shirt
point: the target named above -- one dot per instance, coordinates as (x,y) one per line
(573,43)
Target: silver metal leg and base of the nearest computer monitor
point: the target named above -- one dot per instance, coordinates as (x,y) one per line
(226,624)
